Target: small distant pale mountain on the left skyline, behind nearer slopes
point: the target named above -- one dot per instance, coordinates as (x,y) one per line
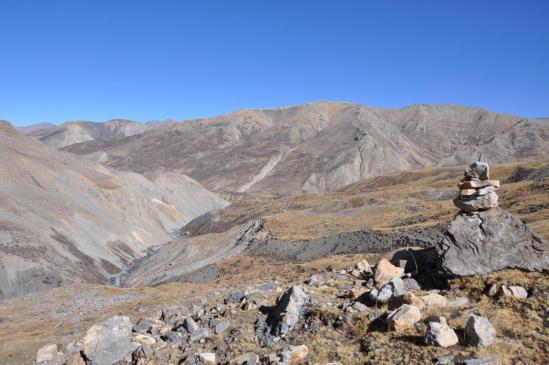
(77,132)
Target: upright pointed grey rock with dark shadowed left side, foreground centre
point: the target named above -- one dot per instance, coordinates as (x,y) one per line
(289,308)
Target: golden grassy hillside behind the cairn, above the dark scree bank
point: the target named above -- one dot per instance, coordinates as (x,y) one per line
(398,200)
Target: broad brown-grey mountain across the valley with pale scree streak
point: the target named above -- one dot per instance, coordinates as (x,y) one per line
(320,146)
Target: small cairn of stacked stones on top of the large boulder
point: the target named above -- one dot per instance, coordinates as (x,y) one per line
(476,191)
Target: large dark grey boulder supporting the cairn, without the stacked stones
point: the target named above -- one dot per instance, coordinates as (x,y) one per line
(490,241)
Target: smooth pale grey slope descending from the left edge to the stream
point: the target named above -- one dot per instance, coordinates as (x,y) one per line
(64,219)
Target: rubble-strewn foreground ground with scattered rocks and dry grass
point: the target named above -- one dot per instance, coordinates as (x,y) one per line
(359,315)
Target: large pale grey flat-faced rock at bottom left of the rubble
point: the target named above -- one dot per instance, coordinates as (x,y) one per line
(109,342)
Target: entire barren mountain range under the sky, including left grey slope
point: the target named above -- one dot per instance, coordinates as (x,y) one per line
(82,201)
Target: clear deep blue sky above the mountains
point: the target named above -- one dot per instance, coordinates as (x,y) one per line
(157,59)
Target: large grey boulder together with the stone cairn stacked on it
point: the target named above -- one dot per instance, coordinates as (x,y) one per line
(483,238)
